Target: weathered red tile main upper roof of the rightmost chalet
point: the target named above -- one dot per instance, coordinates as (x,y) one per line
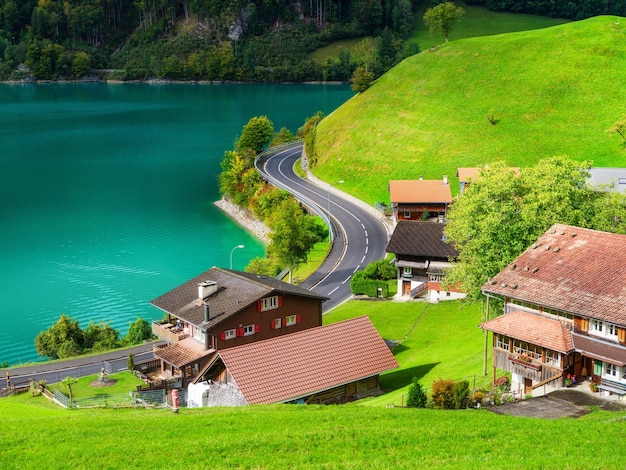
(571,269)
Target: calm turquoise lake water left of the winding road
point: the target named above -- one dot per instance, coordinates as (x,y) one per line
(107,191)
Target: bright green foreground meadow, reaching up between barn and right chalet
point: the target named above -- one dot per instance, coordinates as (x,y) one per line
(435,341)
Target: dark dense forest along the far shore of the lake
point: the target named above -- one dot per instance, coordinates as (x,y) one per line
(243,40)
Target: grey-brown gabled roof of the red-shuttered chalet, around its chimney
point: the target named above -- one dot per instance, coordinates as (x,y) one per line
(236,290)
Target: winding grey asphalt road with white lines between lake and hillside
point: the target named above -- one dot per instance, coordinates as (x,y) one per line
(359,233)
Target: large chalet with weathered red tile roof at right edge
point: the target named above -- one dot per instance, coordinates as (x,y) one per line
(564,312)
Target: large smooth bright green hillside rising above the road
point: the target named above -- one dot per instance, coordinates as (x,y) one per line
(553,91)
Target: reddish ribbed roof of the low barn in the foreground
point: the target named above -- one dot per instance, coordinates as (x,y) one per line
(300,364)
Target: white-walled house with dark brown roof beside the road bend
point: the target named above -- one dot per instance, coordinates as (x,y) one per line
(422,258)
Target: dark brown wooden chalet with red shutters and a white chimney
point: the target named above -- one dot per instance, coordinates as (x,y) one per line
(220,309)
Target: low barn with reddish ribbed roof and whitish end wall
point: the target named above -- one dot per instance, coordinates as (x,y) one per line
(329,364)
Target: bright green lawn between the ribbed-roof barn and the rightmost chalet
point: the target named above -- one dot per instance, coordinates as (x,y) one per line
(426,349)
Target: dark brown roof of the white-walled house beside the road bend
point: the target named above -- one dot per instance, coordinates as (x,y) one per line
(423,239)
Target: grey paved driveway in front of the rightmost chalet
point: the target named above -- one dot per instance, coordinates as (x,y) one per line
(559,404)
